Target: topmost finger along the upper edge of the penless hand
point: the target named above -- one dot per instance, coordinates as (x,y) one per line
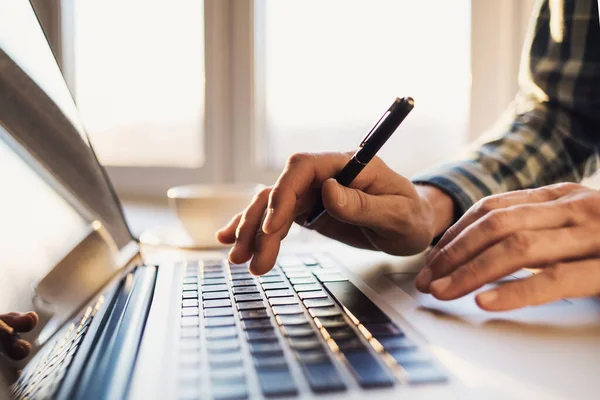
(491,203)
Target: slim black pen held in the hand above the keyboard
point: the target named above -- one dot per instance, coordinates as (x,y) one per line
(368,148)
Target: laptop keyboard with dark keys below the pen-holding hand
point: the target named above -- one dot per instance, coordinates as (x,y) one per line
(323,320)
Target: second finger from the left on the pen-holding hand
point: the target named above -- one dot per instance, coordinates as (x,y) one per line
(249,225)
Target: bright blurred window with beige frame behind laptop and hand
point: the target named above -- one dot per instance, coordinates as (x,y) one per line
(181,91)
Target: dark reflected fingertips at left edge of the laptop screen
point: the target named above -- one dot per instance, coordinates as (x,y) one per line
(11,325)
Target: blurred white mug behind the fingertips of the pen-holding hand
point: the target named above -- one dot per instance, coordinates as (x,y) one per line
(204,208)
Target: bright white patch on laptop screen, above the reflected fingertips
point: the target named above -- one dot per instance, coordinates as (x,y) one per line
(38,227)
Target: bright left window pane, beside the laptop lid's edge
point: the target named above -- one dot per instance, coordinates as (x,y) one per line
(138,79)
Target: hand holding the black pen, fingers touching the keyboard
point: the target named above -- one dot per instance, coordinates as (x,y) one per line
(380,211)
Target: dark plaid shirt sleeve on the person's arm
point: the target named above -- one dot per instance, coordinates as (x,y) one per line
(552,133)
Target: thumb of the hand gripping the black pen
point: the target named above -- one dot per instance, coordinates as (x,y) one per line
(388,213)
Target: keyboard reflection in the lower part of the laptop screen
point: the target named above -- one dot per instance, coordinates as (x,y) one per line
(43,381)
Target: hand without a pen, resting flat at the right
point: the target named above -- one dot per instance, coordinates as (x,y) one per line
(556,228)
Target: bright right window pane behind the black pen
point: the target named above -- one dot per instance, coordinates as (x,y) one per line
(332,67)
